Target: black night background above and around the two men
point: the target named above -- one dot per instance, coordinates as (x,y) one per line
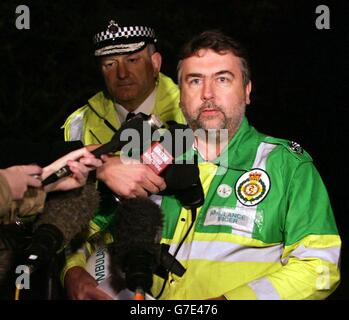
(298,72)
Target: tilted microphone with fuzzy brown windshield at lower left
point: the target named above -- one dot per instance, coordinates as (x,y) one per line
(65,215)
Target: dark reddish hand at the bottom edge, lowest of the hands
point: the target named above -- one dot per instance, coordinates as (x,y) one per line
(80,285)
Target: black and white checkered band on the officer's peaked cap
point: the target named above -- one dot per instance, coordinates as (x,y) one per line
(125,32)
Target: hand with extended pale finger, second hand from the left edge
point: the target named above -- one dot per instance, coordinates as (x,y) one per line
(80,163)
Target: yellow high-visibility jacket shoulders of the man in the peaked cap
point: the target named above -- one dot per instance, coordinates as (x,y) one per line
(88,122)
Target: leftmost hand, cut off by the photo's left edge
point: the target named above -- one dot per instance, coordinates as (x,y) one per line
(20,178)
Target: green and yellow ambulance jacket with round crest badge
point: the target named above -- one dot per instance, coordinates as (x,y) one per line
(265,231)
